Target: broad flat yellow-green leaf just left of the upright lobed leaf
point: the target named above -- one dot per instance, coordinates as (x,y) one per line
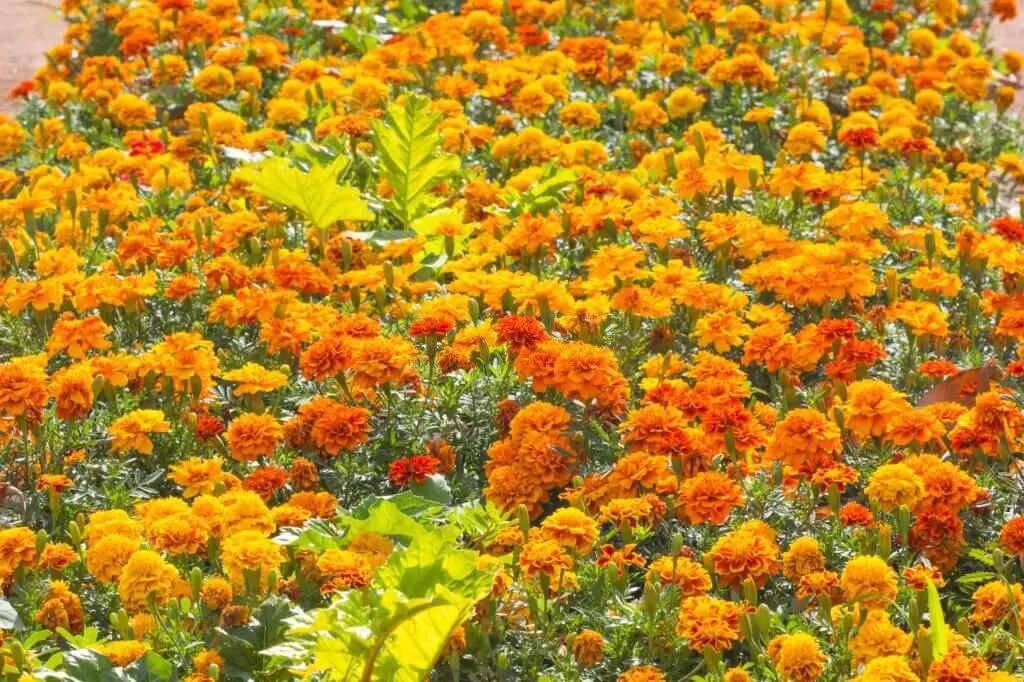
(316,193)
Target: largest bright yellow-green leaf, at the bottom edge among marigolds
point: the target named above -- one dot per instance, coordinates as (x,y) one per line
(398,628)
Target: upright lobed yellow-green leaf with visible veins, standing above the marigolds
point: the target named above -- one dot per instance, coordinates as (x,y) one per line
(412,160)
